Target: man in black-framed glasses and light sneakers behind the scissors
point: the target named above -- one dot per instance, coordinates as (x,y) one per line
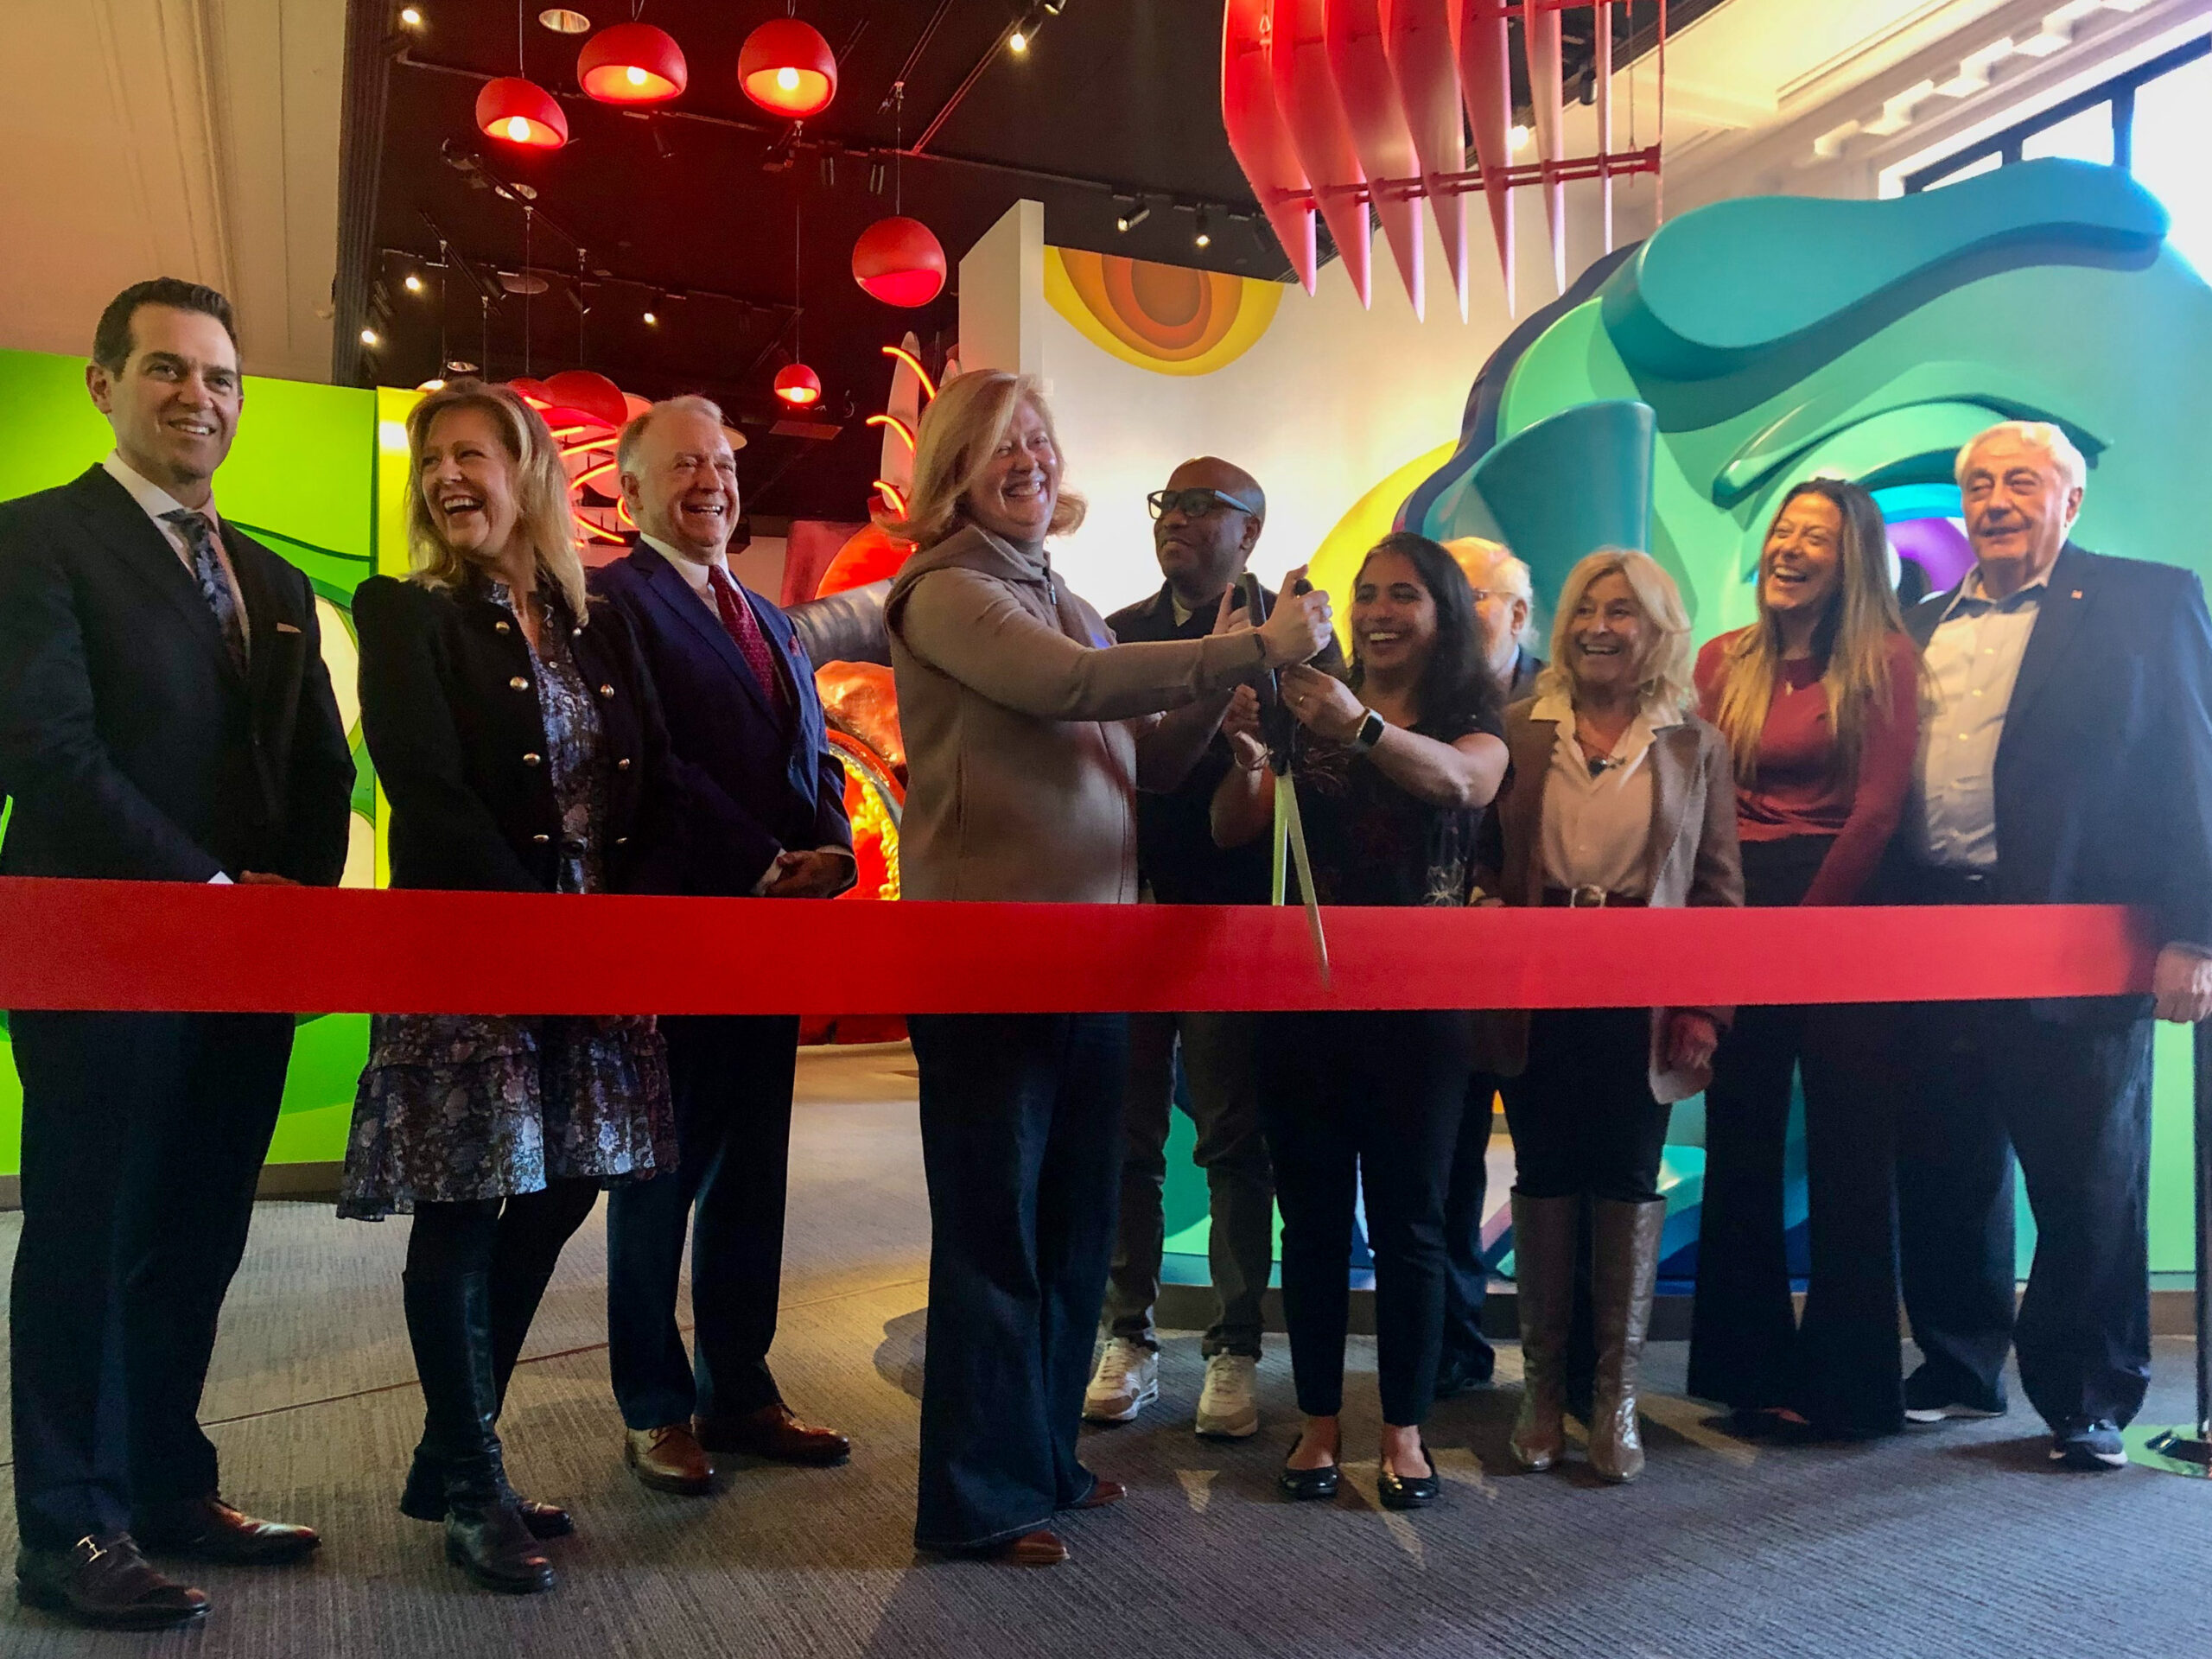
(1204,530)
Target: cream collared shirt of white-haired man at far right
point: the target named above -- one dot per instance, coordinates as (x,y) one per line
(1972,665)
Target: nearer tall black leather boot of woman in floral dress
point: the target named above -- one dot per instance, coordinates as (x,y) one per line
(486,1534)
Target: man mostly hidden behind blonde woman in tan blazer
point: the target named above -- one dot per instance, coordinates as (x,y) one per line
(1503,605)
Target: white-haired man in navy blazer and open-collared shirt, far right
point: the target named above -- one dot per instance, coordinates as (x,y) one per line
(2067,760)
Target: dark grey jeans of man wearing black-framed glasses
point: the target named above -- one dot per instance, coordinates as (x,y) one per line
(1222,1067)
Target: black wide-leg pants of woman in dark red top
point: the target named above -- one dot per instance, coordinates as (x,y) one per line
(1841,1370)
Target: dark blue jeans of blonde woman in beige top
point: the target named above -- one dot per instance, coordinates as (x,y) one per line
(1021,1149)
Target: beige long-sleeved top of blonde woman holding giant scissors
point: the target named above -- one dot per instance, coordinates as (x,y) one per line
(1025,727)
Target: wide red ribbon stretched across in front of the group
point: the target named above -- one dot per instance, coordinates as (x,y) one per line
(187,948)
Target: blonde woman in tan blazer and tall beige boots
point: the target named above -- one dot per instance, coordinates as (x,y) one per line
(1618,795)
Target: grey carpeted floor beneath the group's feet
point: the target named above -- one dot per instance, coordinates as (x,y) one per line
(1954,1543)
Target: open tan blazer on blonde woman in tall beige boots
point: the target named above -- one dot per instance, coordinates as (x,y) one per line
(1693,853)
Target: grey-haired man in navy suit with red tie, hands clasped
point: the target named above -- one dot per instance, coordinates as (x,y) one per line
(766,802)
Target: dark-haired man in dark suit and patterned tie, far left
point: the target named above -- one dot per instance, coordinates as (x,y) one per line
(165,716)
